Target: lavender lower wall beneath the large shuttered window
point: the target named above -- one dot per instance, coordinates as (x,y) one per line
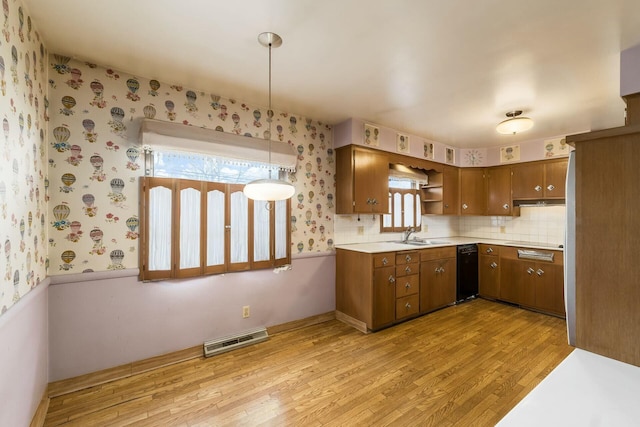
(98,324)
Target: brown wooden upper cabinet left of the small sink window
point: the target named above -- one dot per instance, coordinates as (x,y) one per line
(362,177)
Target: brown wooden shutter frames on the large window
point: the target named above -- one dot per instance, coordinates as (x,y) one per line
(176,185)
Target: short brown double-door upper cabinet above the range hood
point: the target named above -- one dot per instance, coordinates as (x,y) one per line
(539,180)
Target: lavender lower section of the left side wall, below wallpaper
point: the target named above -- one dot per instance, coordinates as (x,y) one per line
(24,355)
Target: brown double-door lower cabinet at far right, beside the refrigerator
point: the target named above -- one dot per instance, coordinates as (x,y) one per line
(533,284)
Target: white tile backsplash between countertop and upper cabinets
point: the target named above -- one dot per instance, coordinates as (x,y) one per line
(535,224)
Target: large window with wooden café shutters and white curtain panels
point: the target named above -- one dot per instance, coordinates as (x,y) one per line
(195,227)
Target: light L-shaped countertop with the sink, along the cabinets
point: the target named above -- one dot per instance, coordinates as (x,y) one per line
(377,247)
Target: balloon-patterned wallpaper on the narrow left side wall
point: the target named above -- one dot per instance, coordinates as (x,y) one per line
(23,206)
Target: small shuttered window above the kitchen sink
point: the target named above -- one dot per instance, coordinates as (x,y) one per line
(404,206)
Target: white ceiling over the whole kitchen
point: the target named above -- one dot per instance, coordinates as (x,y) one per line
(448,70)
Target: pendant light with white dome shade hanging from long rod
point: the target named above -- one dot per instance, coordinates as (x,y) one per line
(269,189)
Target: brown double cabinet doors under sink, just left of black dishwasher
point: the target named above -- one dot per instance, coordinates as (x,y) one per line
(437,284)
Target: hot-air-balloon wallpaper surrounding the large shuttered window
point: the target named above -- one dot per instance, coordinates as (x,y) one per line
(96,160)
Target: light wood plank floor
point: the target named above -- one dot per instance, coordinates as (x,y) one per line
(465,365)
